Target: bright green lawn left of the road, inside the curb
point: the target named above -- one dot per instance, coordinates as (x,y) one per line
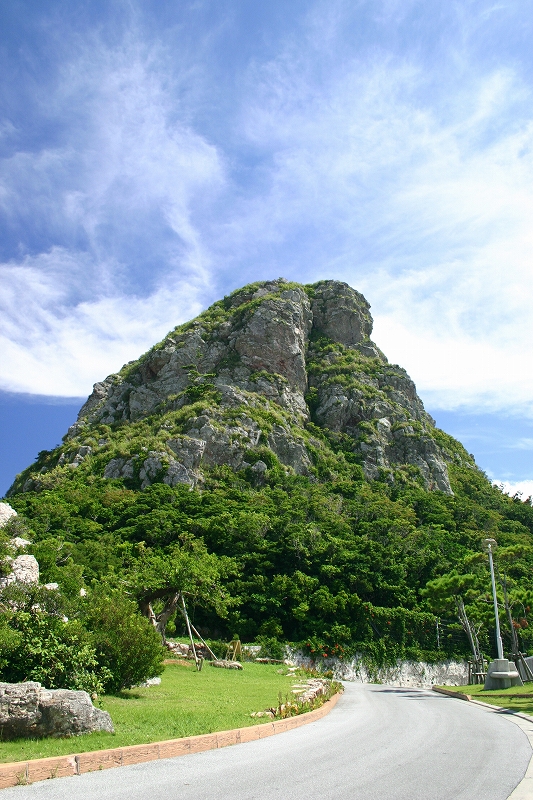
(186,703)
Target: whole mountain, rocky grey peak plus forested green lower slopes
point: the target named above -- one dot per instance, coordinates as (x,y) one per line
(270,443)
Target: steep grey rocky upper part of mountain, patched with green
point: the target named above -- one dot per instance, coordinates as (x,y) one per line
(275,373)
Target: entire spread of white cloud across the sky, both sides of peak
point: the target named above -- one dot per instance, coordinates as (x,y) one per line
(369,167)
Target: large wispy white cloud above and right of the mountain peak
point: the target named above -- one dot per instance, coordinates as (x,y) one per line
(425,206)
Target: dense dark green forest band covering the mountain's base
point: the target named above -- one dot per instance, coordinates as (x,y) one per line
(343,560)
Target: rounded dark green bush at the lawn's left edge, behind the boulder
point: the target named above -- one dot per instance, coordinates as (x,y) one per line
(127,646)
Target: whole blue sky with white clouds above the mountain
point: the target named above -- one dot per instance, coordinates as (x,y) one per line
(155,155)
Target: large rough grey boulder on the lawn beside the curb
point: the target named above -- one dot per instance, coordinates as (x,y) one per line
(29,710)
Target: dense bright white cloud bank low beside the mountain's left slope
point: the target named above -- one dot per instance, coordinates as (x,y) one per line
(52,348)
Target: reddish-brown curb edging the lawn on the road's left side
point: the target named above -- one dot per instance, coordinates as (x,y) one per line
(40,769)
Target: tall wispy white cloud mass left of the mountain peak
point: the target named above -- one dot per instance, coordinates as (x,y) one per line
(116,197)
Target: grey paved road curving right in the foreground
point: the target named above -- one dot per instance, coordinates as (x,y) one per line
(378,743)
